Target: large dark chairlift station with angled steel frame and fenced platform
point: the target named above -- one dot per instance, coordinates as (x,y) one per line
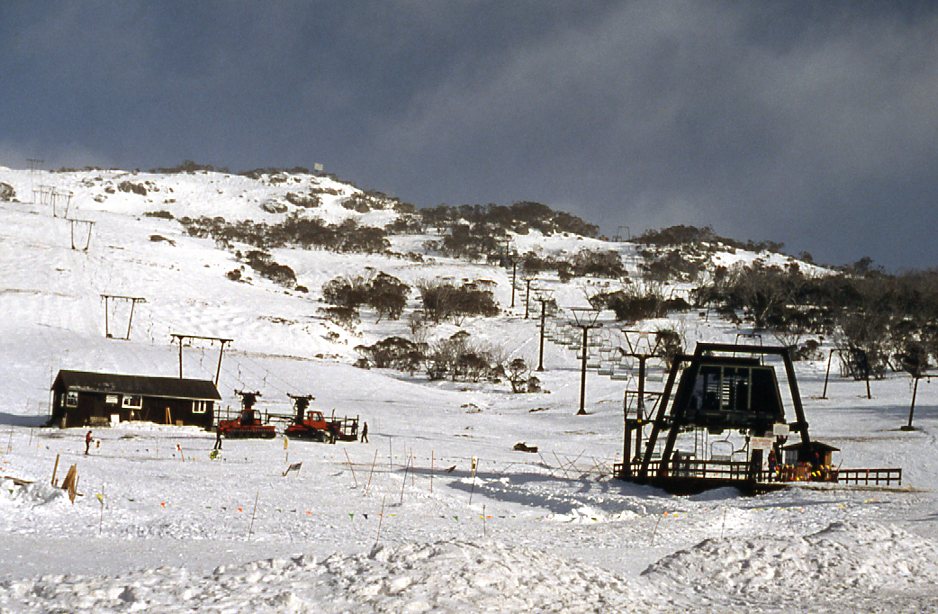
(721,421)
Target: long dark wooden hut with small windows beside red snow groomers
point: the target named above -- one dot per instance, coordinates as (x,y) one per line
(82,398)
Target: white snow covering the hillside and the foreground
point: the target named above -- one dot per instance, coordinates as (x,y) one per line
(401,524)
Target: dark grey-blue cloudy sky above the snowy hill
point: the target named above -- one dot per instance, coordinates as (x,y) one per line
(810,123)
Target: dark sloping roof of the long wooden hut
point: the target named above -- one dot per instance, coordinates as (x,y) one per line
(144,385)
